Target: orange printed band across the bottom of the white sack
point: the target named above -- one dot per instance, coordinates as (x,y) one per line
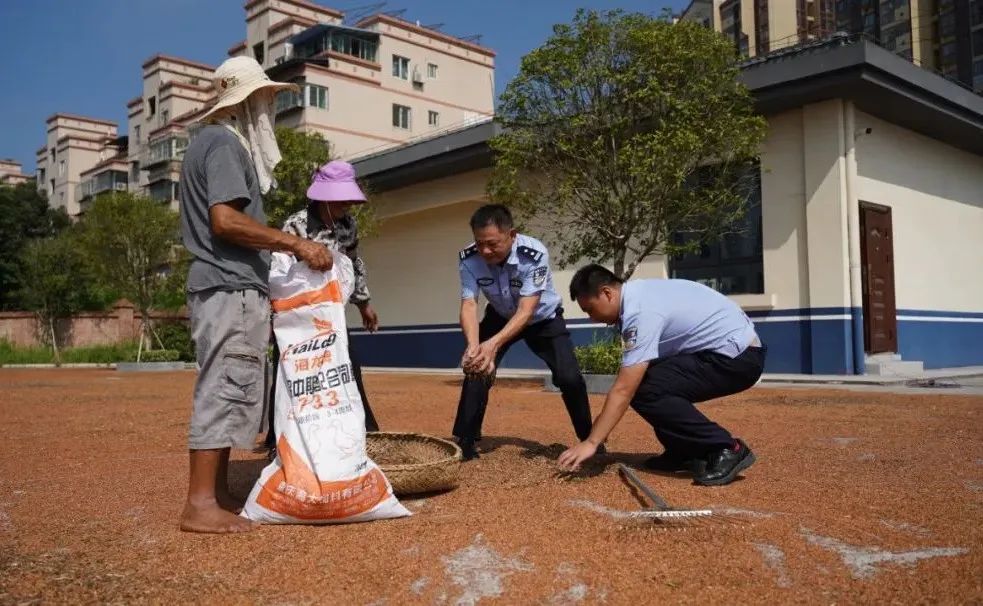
(295,491)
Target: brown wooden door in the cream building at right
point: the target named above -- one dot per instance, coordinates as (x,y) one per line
(877,258)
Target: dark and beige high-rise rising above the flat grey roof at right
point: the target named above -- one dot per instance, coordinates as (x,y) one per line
(944,35)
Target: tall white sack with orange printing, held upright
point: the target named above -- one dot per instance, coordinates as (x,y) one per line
(321,473)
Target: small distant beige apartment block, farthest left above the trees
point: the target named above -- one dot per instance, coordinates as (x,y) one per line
(74,145)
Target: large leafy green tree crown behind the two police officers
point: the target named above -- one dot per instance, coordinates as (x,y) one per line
(609,130)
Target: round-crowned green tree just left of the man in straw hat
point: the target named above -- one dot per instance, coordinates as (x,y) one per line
(131,242)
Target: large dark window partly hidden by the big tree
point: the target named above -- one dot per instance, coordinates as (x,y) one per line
(733,265)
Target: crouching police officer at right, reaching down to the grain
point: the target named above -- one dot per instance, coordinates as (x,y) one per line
(683,343)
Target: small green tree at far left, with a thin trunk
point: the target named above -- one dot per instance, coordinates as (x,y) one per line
(56,283)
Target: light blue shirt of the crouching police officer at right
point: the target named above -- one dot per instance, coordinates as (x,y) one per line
(662,318)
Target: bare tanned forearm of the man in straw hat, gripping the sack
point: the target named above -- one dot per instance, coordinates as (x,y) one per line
(232,225)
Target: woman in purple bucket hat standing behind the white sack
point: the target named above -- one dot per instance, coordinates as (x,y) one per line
(326,221)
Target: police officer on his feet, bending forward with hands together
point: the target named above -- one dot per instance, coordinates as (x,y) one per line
(512,272)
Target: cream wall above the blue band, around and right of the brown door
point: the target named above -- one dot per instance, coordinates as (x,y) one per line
(935,192)
